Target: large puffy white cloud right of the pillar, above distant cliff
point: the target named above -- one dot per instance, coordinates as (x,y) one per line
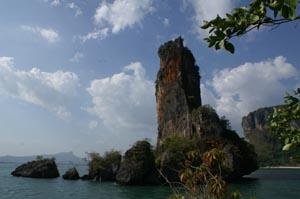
(247,87)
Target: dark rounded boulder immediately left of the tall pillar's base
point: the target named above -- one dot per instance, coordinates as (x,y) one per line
(138,166)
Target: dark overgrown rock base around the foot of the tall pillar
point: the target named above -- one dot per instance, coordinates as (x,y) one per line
(241,158)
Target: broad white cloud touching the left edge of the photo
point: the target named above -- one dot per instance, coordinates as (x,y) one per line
(48,90)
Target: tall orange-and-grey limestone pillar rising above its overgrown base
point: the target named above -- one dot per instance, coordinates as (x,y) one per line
(177,89)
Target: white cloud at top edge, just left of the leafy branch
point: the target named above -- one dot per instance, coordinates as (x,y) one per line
(207,10)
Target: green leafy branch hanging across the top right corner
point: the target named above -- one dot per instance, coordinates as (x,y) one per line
(259,13)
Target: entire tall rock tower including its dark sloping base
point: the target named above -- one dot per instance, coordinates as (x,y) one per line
(180,113)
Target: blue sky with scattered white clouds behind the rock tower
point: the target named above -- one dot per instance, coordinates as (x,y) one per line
(79,75)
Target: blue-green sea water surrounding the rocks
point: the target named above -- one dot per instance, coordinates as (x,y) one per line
(263,184)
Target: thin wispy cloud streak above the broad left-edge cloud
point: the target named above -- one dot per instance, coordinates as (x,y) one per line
(49,34)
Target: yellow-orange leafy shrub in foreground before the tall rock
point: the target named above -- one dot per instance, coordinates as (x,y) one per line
(202,176)
